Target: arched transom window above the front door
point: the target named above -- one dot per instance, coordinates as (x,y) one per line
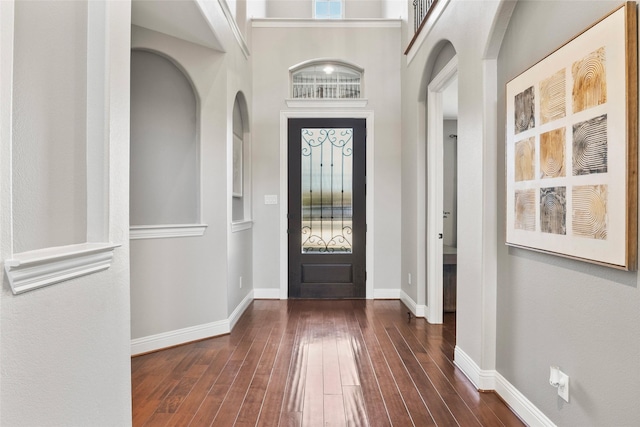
(326,79)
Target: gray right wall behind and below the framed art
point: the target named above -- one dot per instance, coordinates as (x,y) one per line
(552,311)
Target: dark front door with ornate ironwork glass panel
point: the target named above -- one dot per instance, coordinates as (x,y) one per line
(327,208)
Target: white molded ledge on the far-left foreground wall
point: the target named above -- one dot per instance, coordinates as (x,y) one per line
(32,270)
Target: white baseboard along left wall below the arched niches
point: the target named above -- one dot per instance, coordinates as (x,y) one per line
(192,333)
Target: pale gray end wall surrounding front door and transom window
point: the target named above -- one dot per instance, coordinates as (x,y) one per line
(377,50)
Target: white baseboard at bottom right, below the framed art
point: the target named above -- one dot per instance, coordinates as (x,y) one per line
(492,380)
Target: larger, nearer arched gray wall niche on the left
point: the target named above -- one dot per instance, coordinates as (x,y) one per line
(165,118)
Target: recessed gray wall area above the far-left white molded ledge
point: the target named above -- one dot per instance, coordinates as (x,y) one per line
(49,124)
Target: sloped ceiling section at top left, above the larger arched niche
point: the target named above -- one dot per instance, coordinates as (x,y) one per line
(178,18)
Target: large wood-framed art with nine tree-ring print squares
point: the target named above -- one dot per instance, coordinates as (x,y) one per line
(571,147)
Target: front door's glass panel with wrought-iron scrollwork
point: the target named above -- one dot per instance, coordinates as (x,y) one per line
(327,169)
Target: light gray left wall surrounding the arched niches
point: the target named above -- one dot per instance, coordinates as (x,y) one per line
(180,283)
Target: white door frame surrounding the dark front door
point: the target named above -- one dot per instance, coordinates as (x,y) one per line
(284,188)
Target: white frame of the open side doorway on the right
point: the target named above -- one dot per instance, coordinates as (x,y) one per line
(434,196)
